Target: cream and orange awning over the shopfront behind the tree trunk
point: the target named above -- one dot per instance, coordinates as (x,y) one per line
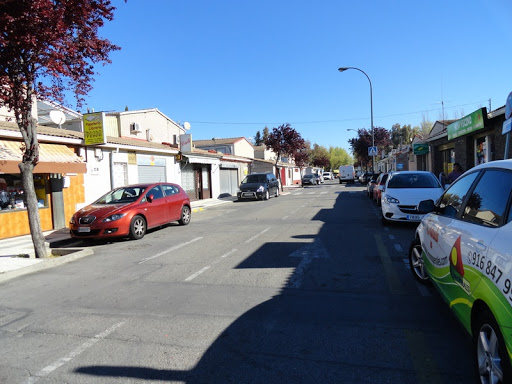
(53,158)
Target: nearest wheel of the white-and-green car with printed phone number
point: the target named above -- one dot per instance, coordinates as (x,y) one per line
(490,353)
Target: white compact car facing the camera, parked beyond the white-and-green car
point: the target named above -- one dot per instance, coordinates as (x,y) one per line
(404,190)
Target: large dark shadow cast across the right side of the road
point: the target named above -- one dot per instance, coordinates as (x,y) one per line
(334,321)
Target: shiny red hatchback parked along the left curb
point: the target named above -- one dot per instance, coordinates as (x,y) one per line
(132,210)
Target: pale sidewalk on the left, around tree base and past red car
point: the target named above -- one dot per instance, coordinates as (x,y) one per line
(17,253)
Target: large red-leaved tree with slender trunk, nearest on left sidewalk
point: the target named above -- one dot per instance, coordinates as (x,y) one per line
(47,48)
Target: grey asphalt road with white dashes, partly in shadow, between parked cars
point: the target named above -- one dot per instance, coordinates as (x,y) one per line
(308,287)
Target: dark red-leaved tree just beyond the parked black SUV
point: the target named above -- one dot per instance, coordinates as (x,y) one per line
(284,141)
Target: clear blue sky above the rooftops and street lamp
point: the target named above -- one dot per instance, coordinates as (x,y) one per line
(230,68)
